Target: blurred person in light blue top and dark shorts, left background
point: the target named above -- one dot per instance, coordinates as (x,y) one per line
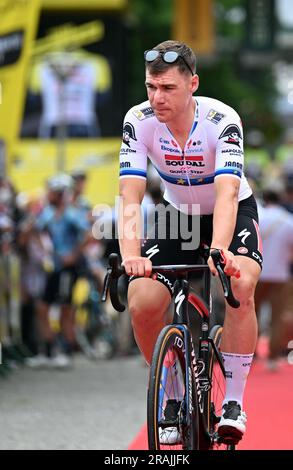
(68,232)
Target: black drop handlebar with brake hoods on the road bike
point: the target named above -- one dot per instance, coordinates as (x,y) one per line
(115,270)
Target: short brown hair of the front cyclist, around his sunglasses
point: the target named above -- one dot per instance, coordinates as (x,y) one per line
(159,66)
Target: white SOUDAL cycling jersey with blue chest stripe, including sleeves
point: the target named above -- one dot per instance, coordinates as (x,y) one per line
(214,148)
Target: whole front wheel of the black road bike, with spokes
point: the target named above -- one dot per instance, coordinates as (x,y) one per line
(172,400)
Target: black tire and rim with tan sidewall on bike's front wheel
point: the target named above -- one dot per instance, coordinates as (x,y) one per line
(171,338)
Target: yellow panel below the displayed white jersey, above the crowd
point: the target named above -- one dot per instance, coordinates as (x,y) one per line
(35,161)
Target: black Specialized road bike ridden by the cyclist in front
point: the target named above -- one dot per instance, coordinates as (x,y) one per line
(187,370)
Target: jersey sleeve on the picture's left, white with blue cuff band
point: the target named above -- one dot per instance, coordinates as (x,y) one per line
(133,151)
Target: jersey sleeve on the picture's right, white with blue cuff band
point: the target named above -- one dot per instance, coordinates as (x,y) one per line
(229,148)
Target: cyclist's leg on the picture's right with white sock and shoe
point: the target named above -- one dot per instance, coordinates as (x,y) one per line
(238,345)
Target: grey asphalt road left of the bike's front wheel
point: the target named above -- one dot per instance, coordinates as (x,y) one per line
(97,406)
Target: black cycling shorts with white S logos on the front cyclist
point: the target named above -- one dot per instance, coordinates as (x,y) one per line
(246,239)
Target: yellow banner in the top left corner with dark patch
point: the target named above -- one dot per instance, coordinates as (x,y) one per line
(18,24)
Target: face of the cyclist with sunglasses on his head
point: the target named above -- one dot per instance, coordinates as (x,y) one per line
(170,93)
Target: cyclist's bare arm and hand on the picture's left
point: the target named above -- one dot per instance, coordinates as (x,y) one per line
(129,227)
